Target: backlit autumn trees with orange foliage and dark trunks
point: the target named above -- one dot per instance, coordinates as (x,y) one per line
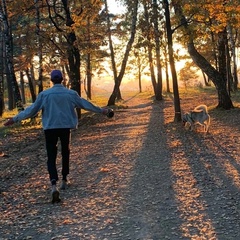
(82,37)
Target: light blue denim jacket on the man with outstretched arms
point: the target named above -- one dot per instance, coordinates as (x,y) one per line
(58,105)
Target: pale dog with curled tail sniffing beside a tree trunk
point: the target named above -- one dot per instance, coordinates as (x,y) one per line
(199,115)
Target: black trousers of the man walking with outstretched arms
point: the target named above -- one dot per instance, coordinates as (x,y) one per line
(51,137)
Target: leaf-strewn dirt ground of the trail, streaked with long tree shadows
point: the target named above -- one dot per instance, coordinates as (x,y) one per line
(137,176)
